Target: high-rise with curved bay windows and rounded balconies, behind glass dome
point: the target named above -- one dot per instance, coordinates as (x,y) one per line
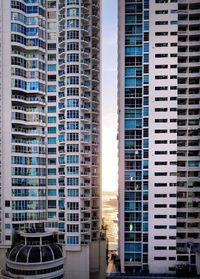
(50,123)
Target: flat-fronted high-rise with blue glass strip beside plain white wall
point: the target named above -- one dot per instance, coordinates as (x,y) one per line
(159,139)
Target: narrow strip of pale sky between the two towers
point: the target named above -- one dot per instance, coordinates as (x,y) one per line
(109,95)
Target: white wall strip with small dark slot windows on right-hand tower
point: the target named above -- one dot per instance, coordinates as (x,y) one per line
(162,116)
